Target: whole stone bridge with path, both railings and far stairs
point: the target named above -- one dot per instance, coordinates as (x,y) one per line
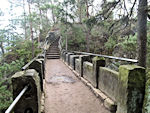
(58,81)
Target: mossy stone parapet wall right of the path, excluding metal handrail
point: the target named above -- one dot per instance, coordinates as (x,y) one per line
(125,87)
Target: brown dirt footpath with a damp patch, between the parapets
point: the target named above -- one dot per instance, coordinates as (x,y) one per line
(65,93)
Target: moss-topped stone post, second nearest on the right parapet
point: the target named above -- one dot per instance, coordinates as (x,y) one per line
(97,62)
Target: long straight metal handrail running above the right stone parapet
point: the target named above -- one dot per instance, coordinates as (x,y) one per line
(110,57)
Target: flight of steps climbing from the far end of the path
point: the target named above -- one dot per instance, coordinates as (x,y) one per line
(53,51)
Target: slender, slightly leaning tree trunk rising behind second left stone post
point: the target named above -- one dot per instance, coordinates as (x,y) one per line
(31,31)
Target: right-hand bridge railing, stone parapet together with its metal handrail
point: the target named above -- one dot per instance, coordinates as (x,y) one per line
(124,89)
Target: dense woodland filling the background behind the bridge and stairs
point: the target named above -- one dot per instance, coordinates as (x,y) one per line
(112,27)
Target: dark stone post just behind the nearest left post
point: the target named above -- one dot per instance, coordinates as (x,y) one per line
(38,66)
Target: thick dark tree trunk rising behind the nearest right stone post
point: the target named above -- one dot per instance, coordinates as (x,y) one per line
(142,32)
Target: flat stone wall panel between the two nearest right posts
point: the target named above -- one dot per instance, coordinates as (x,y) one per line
(108,82)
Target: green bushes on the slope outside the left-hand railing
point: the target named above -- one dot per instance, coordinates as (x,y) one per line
(17,55)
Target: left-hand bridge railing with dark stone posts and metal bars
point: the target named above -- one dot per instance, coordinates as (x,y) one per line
(27,87)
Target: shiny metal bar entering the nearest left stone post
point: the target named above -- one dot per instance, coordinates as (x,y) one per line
(16,100)
